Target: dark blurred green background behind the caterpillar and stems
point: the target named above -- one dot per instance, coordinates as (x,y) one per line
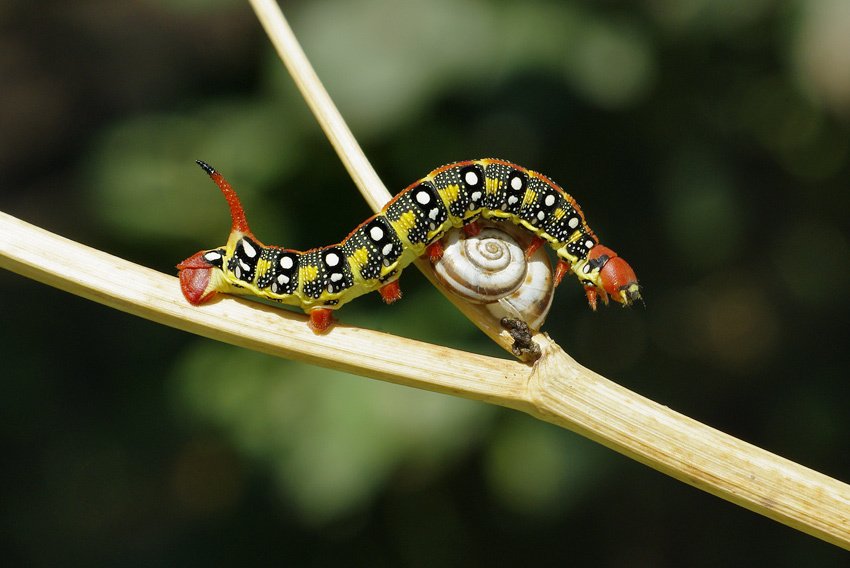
(707,142)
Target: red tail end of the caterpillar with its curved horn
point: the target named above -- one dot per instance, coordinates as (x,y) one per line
(202,274)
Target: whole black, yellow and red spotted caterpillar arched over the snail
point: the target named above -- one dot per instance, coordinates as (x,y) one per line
(373,255)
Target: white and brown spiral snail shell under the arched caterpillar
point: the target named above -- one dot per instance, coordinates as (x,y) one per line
(490,268)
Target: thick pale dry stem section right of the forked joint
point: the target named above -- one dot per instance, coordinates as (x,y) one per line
(567,394)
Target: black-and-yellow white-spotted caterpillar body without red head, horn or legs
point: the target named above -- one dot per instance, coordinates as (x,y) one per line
(375,253)
